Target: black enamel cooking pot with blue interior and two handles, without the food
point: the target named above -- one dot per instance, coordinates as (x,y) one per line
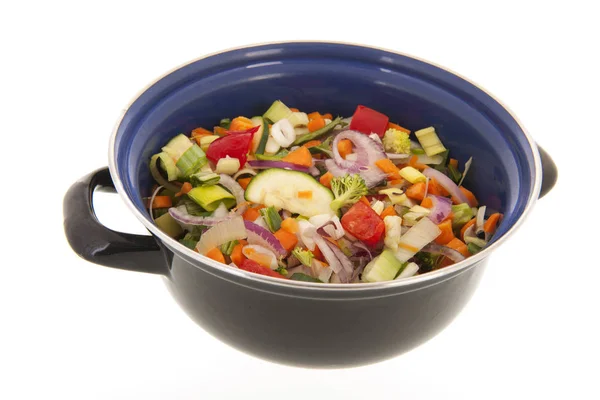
(303,323)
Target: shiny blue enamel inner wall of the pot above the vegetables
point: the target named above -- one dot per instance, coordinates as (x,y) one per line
(333,78)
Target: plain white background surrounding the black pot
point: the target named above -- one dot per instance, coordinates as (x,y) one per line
(73,330)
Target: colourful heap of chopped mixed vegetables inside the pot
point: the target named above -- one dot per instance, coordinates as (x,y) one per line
(314,198)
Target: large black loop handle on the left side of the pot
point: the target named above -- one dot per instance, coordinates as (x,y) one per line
(96,243)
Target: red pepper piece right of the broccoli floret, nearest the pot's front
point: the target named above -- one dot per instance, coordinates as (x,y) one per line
(364,224)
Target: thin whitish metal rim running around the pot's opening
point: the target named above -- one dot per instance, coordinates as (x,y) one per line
(414,280)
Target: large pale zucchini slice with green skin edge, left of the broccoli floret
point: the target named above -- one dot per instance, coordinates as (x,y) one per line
(280,188)
